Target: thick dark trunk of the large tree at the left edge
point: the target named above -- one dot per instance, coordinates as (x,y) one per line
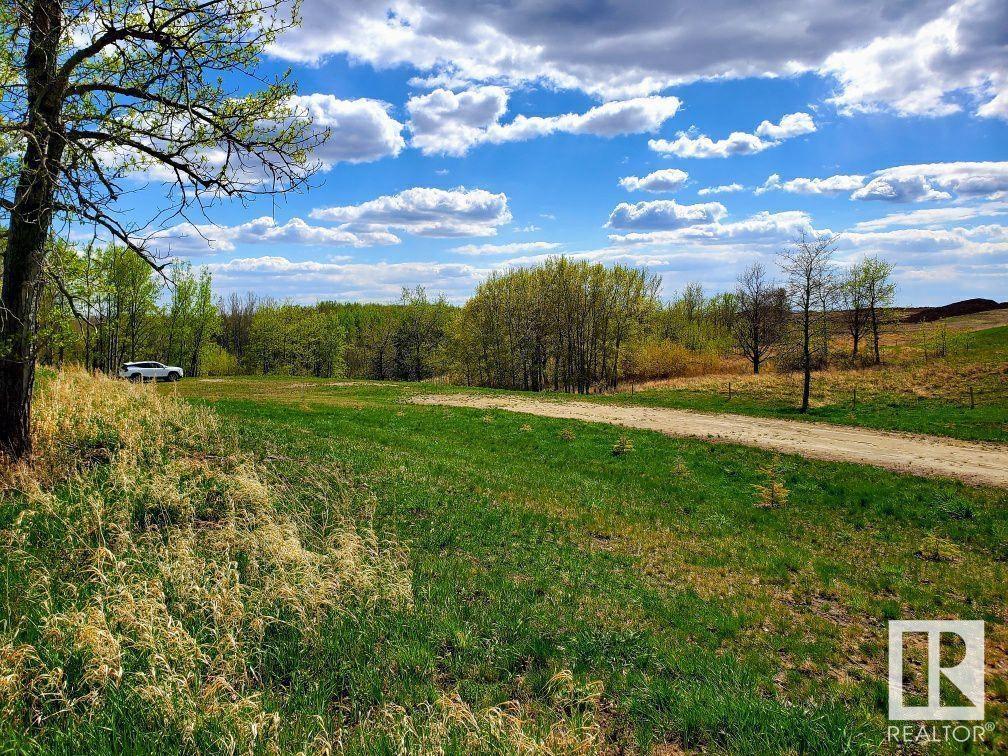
(31,219)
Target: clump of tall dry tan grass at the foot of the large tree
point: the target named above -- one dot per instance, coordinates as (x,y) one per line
(151,560)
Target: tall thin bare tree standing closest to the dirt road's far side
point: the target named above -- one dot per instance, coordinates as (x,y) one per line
(807,265)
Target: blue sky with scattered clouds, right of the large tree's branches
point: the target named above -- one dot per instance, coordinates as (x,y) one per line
(464,143)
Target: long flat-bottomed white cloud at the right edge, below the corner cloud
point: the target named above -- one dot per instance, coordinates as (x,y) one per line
(939,181)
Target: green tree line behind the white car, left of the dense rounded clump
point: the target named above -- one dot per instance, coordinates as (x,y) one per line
(104,306)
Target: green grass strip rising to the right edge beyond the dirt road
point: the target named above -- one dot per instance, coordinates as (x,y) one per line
(890,407)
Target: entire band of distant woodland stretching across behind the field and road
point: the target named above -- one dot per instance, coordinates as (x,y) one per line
(564,326)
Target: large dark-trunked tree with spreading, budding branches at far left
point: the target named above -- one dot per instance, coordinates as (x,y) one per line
(96,92)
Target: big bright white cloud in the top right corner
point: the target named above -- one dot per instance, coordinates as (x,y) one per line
(926,72)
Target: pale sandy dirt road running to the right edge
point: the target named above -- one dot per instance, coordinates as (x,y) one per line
(920,455)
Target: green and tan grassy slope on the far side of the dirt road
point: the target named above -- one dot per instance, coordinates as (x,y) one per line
(908,395)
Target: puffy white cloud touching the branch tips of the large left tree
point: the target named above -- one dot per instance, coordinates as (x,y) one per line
(360,131)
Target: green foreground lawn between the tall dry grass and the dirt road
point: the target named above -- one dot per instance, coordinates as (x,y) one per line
(712,623)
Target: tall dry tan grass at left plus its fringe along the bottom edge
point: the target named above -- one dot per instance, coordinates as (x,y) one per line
(148,563)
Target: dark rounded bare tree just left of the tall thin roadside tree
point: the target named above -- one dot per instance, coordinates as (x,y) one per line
(762,317)
